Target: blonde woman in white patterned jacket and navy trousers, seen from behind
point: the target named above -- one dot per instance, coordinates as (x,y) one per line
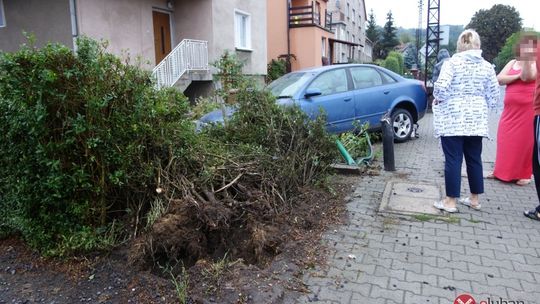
(465,89)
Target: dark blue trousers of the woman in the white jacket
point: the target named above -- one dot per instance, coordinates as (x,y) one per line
(454,148)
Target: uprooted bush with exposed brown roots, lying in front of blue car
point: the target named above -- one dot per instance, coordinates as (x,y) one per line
(249,176)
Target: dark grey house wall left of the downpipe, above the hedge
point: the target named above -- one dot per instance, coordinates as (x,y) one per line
(49,21)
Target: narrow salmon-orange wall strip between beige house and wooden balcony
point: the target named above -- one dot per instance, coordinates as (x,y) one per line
(276,28)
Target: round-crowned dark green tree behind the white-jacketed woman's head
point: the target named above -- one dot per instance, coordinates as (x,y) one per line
(494,26)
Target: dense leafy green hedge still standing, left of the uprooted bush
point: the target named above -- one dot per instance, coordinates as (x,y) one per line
(82,136)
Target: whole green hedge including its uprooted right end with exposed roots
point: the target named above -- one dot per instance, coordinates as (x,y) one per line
(86,140)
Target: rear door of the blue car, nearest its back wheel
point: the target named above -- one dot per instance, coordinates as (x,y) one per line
(373,94)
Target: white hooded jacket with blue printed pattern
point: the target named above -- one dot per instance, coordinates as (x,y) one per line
(465,89)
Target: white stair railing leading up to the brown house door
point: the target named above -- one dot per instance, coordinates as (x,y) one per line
(188,55)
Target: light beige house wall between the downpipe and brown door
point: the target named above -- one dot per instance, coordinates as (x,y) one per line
(126,24)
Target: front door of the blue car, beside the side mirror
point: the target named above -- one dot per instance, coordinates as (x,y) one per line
(335,99)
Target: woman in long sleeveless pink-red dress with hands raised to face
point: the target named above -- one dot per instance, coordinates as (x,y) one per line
(515,133)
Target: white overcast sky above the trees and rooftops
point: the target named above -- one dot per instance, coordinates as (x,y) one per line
(454,12)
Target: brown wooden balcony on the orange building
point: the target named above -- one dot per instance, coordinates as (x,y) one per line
(309,15)
